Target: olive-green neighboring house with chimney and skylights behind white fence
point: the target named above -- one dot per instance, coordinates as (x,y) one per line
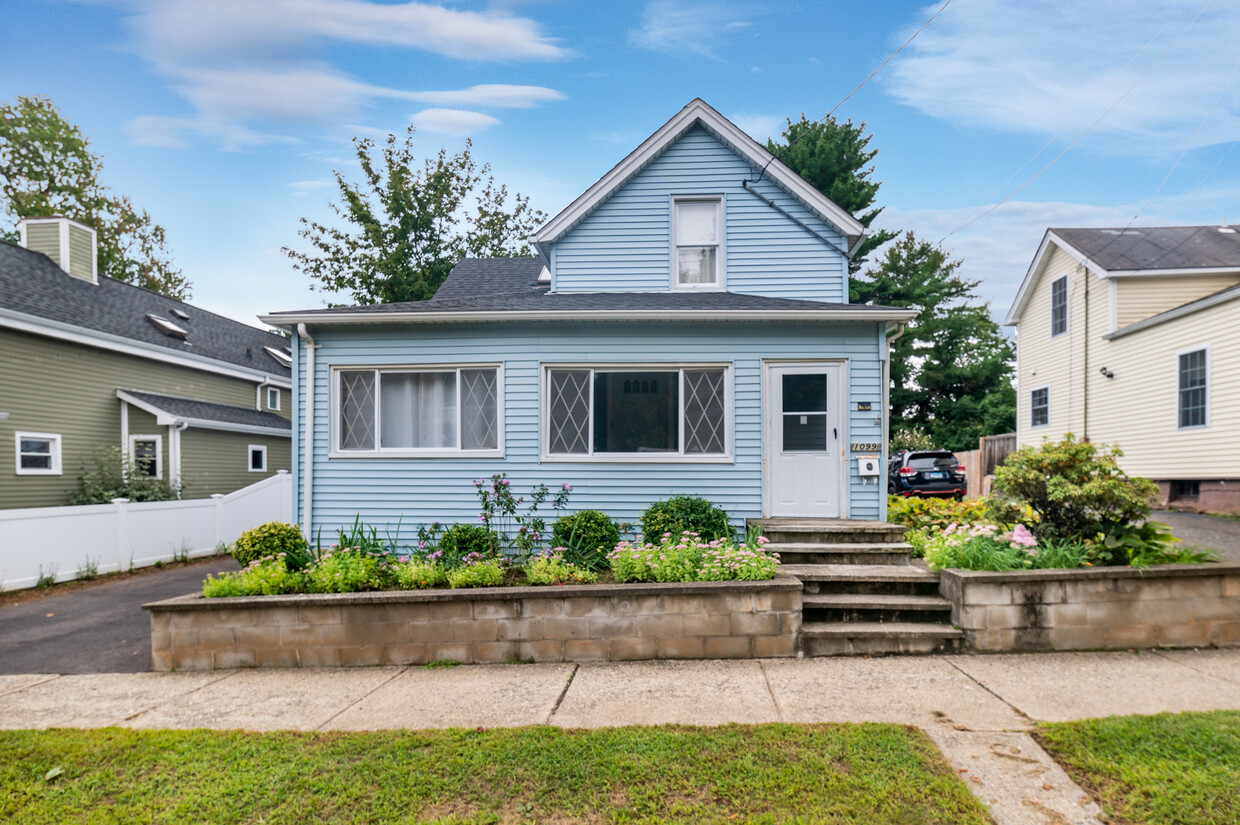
(89,362)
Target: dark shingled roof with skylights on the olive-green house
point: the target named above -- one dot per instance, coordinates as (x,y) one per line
(37,292)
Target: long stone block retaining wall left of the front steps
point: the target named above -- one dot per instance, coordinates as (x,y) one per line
(578,623)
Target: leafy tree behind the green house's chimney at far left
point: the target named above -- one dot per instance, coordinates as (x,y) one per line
(48,168)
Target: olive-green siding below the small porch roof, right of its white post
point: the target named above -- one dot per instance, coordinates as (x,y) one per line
(219,462)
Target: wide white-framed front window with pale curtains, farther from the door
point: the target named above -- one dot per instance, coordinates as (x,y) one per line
(418,411)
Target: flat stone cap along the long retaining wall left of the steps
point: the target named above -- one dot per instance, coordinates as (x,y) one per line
(197,602)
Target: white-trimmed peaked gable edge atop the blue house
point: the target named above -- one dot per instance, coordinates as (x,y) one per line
(697,114)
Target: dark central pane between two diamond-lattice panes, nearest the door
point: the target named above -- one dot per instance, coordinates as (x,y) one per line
(637,412)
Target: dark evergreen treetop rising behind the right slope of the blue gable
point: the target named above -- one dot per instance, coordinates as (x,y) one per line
(835,158)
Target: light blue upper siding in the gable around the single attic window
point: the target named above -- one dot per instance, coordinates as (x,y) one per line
(626,244)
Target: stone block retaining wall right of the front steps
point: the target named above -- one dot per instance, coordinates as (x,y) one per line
(1179,606)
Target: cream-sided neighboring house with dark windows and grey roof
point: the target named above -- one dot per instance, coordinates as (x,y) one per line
(1133,338)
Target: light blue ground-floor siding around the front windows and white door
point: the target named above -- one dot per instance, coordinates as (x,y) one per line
(412,492)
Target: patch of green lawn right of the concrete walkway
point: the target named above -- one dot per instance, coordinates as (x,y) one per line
(1174,769)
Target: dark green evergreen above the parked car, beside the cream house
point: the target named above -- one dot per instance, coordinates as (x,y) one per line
(952,370)
